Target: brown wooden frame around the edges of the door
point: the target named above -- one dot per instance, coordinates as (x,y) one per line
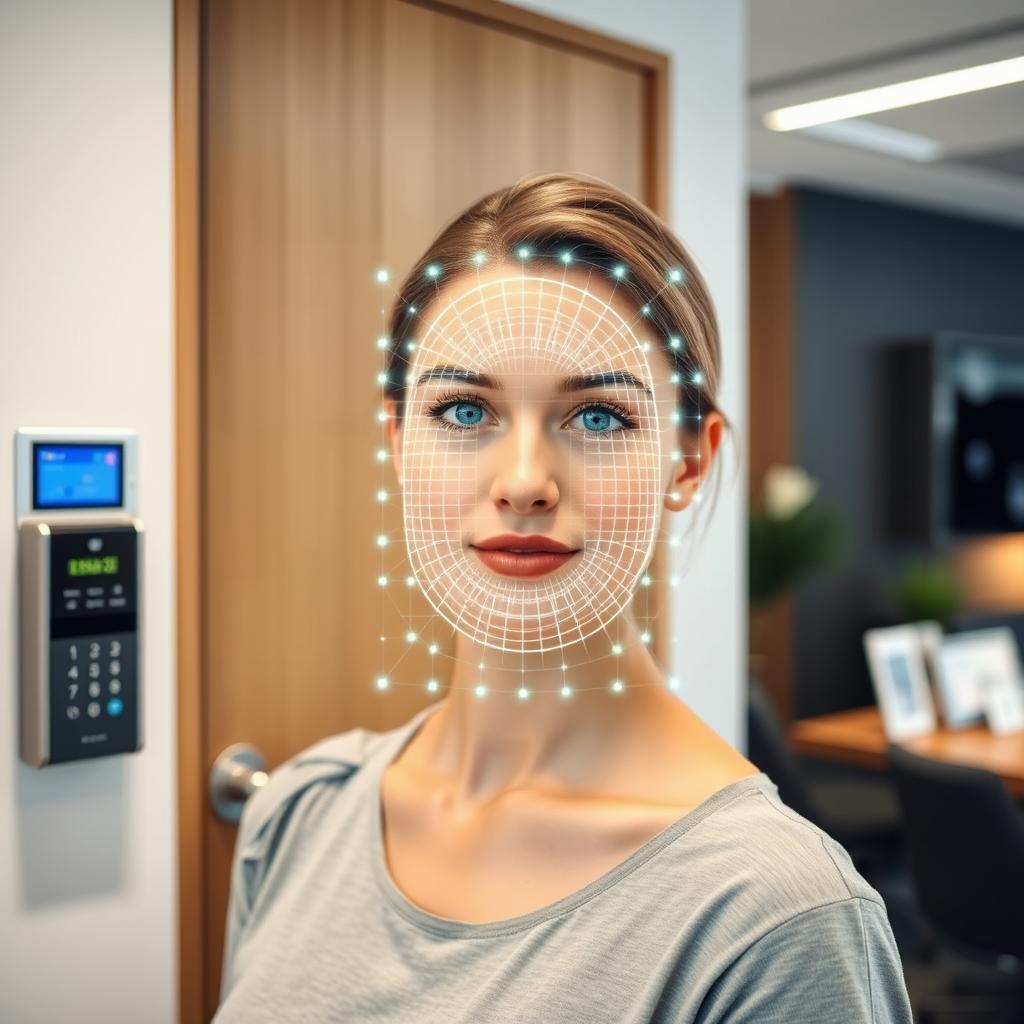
(189,305)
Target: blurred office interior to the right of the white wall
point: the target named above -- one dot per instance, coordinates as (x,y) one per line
(887,388)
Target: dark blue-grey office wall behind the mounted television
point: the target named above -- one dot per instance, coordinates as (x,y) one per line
(867,274)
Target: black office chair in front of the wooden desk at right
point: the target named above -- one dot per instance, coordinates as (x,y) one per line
(965,837)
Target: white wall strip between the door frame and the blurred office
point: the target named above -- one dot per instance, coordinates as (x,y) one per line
(708,210)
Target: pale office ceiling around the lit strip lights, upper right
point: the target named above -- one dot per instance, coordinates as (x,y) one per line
(801,51)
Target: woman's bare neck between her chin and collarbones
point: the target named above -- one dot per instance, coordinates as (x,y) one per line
(479,748)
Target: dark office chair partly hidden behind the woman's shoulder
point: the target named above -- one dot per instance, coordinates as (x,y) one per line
(862,815)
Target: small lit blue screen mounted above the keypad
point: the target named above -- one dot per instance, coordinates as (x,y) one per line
(78,477)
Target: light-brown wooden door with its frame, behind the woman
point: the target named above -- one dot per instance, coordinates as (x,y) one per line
(318,141)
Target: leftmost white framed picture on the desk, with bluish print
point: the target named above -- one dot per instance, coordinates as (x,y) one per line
(897,660)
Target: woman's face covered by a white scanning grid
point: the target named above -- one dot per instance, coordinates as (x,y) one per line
(535,454)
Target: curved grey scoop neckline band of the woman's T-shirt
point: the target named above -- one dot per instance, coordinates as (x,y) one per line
(454,928)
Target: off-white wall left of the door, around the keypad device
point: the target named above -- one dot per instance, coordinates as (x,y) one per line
(89,850)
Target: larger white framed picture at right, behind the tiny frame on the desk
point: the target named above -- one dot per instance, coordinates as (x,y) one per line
(971,663)
